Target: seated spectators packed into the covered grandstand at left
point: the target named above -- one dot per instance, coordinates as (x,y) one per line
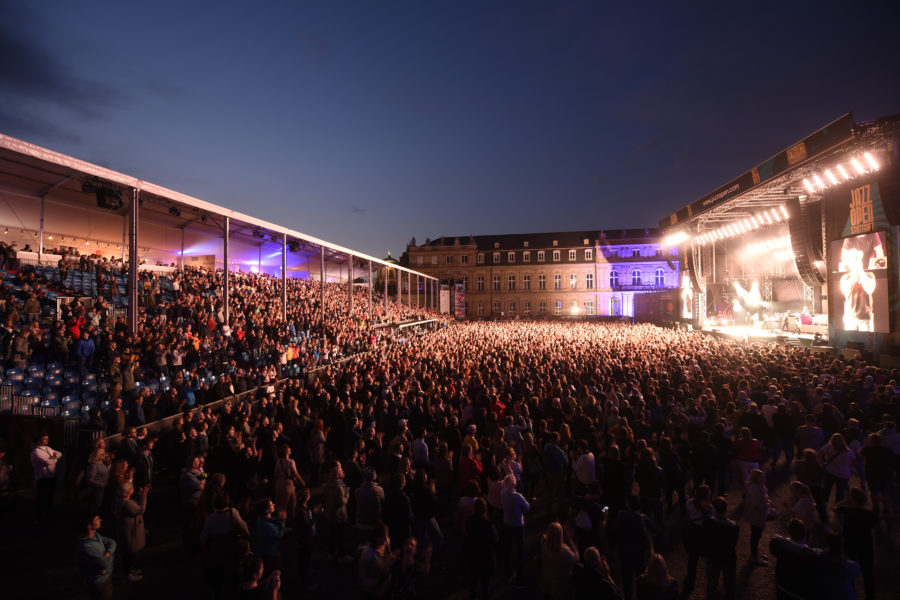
(183,344)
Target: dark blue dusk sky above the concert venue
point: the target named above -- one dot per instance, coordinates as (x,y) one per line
(366,123)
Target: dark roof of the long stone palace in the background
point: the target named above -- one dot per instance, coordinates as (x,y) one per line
(564,239)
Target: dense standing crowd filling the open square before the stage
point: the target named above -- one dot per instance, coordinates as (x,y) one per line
(452,446)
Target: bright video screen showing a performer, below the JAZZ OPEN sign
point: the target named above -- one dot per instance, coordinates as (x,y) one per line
(859,283)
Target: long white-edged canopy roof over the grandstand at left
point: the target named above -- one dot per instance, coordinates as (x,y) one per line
(30,171)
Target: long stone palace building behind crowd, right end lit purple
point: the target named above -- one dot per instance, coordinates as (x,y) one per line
(557,274)
